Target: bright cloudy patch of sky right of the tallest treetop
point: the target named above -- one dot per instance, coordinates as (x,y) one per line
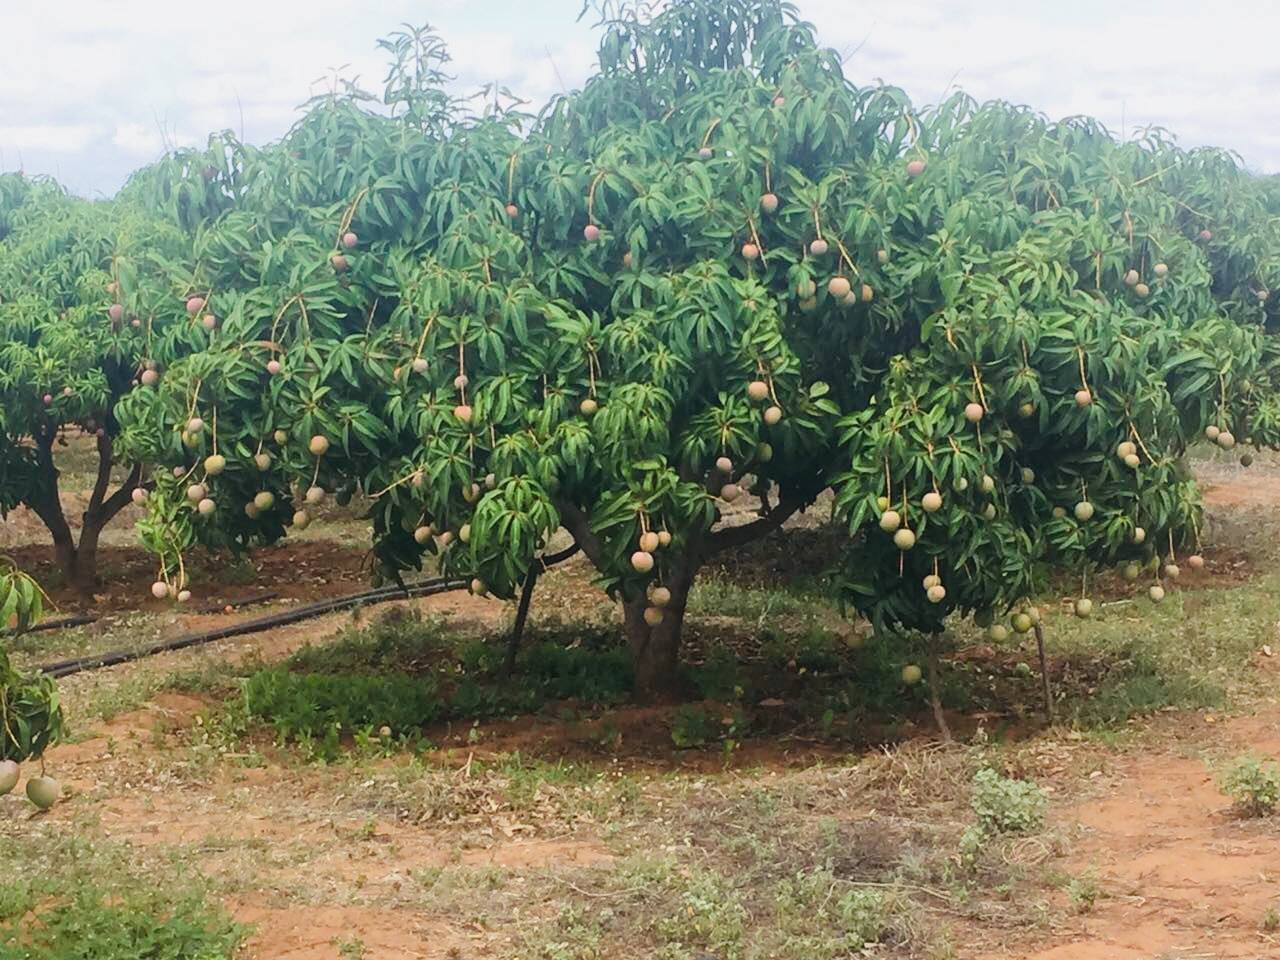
(1199,70)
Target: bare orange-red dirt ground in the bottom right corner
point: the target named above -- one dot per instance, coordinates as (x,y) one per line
(1181,876)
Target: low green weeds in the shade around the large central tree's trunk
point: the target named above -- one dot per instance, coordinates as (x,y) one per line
(399,676)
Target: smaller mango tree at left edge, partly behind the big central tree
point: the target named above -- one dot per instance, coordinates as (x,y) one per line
(80,284)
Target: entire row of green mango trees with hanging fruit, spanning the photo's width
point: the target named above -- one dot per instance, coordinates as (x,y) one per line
(719,268)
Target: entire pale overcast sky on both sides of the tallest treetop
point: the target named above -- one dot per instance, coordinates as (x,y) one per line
(94,89)
